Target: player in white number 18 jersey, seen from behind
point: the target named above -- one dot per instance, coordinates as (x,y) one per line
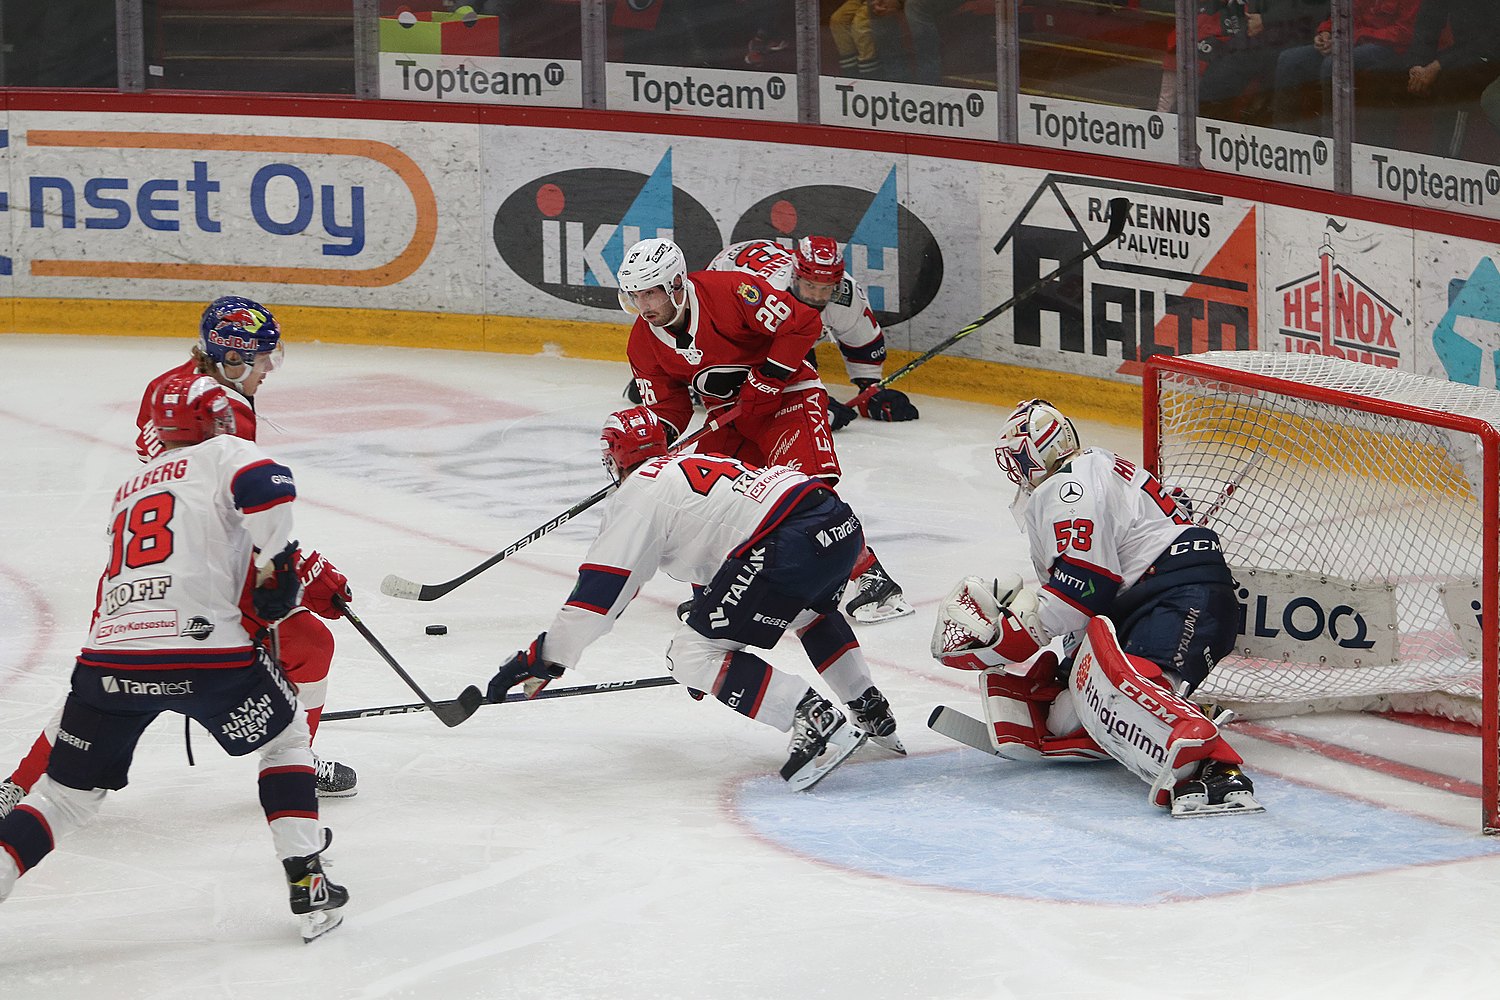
(197,537)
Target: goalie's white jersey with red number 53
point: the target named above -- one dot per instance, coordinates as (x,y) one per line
(1096,527)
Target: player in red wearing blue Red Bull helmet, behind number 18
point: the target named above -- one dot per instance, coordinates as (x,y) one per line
(239,346)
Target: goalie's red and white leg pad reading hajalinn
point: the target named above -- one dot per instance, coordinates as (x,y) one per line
(1159,737)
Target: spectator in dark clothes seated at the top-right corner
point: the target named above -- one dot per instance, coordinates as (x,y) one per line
(1460,71)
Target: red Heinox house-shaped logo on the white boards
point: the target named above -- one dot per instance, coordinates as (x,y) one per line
(1334,313)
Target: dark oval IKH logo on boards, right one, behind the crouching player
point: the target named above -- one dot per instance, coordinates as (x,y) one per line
(887,248)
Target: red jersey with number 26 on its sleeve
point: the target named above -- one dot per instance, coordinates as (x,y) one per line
(737,323)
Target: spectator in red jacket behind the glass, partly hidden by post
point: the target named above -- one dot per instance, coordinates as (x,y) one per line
(1382,37)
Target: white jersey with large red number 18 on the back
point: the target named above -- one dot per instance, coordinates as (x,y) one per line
(182,534)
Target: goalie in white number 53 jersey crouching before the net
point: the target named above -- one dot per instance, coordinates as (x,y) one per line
(1144,606)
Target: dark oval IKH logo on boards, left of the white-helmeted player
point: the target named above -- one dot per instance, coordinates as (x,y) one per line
(568,233)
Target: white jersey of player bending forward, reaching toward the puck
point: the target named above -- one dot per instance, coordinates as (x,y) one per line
(680,515)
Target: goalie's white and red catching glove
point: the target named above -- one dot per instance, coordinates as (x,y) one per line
(986,624)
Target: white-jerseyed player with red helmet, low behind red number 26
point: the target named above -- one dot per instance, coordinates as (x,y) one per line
(815,272)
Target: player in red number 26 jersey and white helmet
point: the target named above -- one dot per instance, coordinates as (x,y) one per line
(731,340)
